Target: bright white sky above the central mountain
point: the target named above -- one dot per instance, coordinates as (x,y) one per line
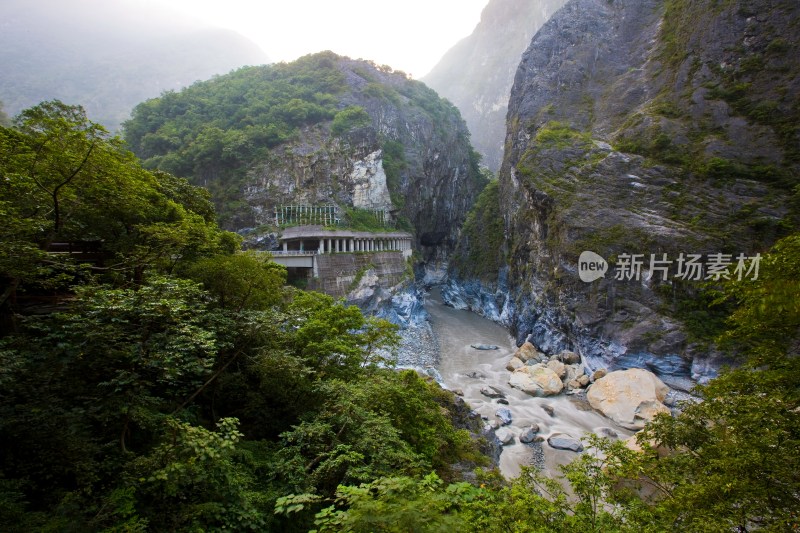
(407,35)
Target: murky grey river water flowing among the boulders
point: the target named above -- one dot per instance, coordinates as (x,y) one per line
(459,362)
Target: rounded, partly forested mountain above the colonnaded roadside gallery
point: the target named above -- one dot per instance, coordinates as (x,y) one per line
(322,130)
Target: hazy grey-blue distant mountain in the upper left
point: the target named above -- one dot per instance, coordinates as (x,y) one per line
(107,56)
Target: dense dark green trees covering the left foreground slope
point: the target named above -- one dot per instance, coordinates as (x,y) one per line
(166,382)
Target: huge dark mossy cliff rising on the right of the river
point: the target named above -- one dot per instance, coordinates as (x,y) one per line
(643,127)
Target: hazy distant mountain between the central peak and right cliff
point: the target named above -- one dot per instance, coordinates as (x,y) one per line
(477,73)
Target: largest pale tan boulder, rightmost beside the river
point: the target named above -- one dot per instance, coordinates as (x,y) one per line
(631,398)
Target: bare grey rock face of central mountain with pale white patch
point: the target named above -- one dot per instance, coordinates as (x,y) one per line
(433,178)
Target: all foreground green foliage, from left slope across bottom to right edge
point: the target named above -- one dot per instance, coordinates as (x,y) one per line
(167,383)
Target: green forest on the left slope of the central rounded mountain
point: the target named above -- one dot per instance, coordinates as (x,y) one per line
(213,131)
